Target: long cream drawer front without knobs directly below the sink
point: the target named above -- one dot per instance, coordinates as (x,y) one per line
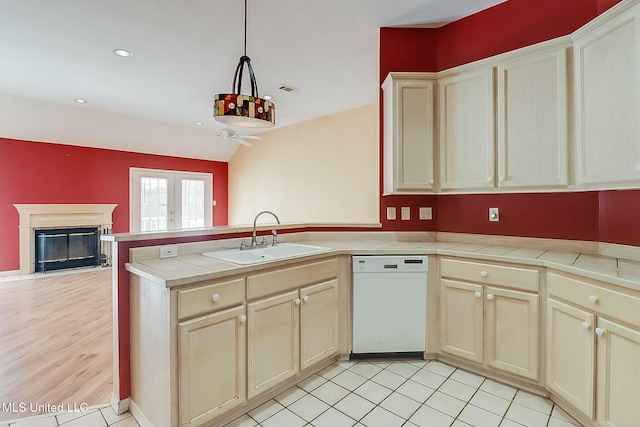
(277,281)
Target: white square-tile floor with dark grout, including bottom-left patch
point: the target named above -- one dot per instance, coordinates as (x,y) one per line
(373,394)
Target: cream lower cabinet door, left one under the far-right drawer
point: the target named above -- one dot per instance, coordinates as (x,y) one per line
(571,355)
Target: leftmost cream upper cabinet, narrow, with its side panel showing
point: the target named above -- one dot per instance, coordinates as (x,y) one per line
(408,117)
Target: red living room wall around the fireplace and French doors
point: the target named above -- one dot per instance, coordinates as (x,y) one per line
(35,172)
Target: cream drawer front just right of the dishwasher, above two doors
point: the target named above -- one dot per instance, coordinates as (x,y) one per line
(511,277)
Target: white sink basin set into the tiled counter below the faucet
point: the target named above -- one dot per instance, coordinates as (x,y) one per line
(266,254)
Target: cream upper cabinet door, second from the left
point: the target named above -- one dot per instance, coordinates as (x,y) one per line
(467,143)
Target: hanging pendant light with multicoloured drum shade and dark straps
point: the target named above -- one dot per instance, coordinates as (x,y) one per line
(236,109)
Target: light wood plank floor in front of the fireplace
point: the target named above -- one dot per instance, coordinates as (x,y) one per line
(56,341)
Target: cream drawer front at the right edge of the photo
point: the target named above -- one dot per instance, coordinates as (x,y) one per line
(607,302)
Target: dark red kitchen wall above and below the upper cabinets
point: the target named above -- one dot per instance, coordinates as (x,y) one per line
(595,216)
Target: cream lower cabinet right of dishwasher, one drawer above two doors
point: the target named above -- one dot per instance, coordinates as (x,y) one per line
(493,326)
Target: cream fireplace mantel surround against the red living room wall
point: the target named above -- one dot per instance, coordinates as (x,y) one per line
(39,216)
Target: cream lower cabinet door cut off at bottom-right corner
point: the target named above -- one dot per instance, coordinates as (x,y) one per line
(618,374)
